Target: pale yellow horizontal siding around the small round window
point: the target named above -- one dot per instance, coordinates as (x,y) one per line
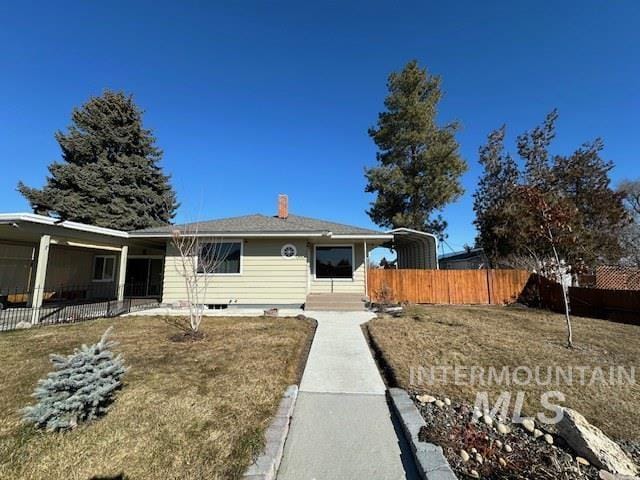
(266,278)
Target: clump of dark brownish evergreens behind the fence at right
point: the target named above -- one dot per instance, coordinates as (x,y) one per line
(577,183)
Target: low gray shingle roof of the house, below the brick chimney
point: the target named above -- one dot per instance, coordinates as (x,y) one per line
(265,224)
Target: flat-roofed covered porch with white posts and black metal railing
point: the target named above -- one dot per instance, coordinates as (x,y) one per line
(46,265)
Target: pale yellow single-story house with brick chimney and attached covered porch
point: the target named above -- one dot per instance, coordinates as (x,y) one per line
(282,260)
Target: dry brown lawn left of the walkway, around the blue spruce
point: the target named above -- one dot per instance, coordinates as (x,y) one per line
(187,410)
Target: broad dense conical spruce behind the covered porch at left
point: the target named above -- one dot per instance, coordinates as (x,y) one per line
(110,174)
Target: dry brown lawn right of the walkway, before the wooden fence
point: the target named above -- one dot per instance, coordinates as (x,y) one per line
(511,336)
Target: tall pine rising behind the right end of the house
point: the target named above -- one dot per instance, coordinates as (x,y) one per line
(419,166)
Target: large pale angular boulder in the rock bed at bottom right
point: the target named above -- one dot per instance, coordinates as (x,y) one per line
(592,444)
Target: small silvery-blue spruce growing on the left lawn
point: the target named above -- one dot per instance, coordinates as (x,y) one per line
(80,389)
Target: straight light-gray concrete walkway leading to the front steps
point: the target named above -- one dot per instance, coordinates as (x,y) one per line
(341,426)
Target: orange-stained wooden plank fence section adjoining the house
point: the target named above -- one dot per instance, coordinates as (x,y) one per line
(481,287)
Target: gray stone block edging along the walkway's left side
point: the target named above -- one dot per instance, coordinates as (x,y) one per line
(266,465)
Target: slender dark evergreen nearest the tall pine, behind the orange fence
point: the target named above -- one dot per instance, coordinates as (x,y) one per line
(494,201)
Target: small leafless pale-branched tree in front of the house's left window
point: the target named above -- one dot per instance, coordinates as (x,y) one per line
(200,257)
